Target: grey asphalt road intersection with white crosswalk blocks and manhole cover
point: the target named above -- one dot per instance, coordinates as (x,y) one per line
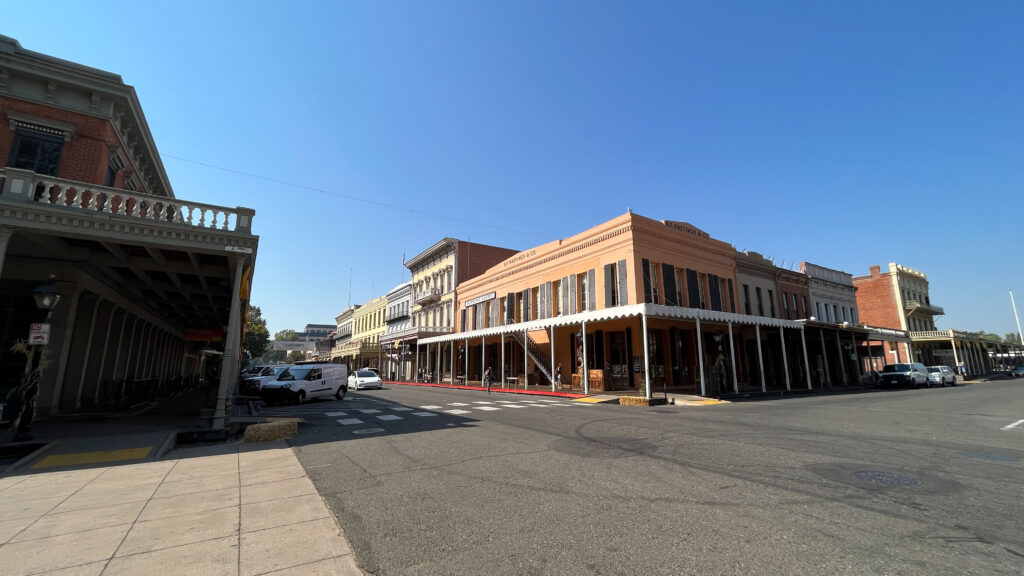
(898,482)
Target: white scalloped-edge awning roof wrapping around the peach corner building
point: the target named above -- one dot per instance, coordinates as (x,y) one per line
(652,311)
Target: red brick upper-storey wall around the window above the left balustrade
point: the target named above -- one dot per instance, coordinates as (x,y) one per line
(84,158)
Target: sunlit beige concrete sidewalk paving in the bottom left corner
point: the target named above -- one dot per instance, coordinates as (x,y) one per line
(233,510)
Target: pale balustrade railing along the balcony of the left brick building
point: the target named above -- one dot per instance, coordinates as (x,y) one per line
(26,186)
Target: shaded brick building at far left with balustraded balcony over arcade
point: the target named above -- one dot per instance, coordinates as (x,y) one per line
(152,286)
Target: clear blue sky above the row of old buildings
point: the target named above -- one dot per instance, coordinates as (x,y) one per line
(843,134)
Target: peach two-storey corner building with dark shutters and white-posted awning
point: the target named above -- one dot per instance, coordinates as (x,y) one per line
(631,304)
